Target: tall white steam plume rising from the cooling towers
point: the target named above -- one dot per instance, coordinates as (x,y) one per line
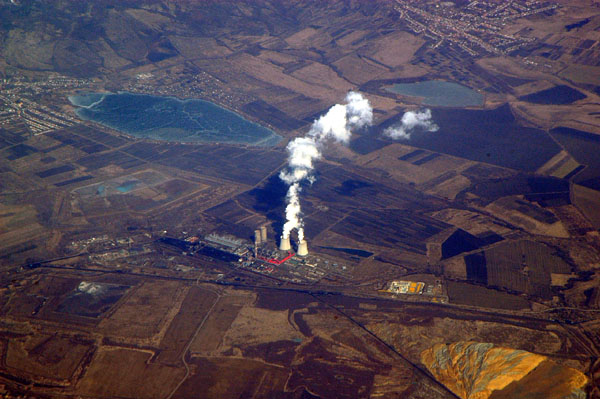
(336,124)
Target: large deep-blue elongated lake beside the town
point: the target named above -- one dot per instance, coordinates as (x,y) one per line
(171,119)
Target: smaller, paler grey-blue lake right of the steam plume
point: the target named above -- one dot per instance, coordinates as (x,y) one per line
(439,93)
